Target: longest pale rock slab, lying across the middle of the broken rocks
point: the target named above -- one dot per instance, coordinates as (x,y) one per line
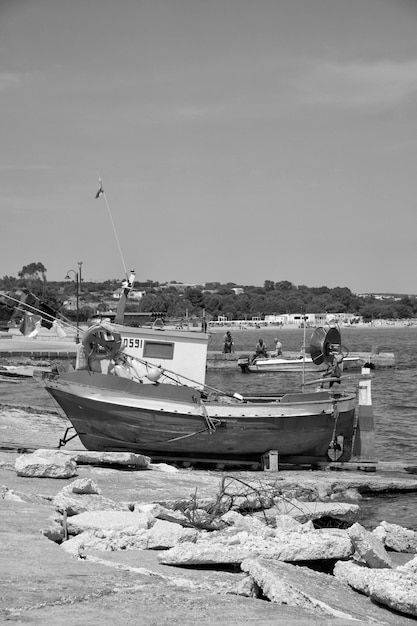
(288,546)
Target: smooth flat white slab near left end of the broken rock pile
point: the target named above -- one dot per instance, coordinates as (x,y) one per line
(108,520)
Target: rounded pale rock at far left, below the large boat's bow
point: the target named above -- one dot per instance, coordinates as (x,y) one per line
(42,464)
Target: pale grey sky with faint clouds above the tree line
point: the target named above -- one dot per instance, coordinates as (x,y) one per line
(236,140)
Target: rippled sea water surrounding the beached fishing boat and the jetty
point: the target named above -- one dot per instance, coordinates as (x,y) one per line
(394,395)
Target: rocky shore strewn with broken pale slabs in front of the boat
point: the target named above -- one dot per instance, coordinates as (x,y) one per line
(101,538)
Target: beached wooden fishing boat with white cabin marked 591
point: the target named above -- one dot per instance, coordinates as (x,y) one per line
(120,401)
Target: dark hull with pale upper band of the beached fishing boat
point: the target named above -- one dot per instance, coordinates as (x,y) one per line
(112,414)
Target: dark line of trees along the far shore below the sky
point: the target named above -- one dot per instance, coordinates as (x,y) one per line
(212,299)
